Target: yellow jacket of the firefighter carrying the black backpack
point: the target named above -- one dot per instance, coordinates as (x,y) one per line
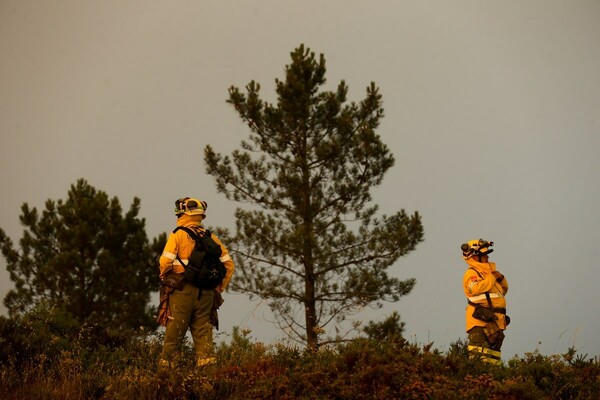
(181,245)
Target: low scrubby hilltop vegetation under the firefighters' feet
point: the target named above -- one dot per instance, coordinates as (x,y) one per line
(43,355)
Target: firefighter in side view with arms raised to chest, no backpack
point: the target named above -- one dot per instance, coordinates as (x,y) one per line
(485,288)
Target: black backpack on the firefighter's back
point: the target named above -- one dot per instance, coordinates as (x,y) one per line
(204,269)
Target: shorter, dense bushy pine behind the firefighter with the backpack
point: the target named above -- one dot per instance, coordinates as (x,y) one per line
(86,257)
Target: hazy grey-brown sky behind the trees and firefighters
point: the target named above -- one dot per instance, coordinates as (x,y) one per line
(492,112)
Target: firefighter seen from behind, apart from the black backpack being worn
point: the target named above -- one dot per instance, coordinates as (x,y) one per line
(184,305)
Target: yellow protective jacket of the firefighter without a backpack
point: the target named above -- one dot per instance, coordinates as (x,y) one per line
(475,288)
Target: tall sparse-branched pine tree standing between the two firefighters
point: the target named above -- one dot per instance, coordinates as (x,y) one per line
(311,244)
